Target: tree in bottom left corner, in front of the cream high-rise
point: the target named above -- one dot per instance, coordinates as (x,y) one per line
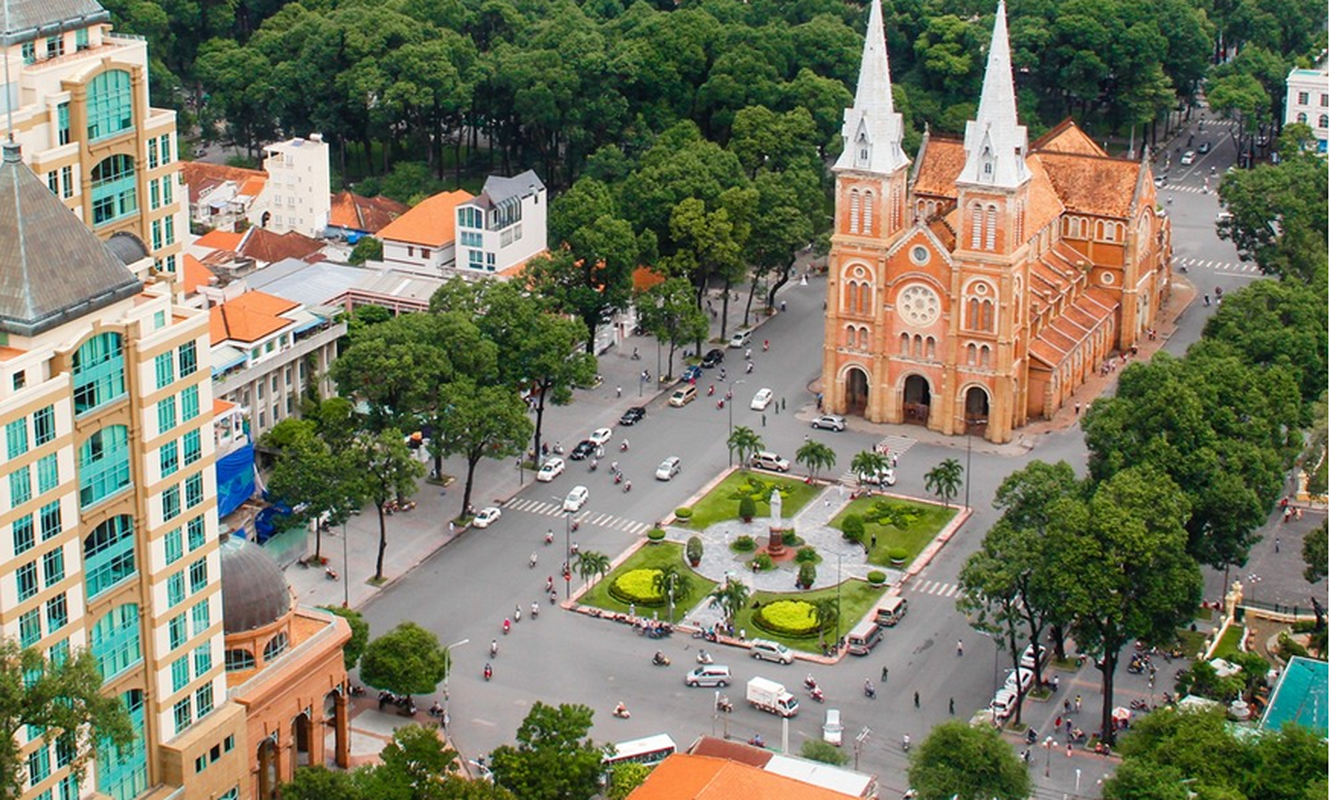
(62,697)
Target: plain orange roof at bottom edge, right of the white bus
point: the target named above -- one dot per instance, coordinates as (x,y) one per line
(704,778)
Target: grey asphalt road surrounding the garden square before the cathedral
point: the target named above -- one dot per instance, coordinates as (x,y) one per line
(465,592)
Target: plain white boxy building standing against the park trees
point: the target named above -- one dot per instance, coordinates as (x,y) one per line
(297,196)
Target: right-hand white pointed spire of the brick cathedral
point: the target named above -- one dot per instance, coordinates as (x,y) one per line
(996,140)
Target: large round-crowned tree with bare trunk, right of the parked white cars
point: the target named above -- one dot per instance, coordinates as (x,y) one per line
(1123,569)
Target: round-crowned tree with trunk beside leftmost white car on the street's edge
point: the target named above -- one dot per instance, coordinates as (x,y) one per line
(482,422)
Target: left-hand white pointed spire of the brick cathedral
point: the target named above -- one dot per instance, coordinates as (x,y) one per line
(873,130)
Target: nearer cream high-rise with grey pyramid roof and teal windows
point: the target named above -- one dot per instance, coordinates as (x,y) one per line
(108,520)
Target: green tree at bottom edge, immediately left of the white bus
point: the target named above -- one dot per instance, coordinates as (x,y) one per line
(554,759)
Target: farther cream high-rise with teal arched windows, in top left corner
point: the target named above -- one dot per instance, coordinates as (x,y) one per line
(75,96)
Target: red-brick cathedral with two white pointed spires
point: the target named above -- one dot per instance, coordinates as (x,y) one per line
(976,289)
